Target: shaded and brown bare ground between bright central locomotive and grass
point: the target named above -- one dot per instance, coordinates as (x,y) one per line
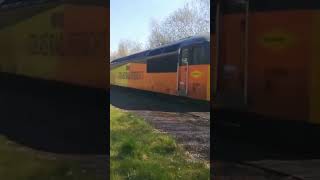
(185,120)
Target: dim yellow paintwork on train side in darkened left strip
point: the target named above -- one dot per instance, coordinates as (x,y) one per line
(18,57)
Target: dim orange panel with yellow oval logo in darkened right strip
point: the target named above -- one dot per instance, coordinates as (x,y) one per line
(279,55)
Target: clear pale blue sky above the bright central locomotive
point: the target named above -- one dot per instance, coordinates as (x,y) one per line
(130,19)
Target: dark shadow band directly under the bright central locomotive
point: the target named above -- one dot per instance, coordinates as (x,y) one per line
(132,99)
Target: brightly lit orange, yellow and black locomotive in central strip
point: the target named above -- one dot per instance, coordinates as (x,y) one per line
(180,68)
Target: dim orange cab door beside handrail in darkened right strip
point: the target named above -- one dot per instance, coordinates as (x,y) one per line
(233,53)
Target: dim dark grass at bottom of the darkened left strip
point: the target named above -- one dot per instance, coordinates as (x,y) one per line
(18,164)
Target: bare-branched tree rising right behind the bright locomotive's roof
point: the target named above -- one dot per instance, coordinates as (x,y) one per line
(187,21)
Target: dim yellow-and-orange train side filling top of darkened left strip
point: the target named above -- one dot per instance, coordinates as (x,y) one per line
(57,44)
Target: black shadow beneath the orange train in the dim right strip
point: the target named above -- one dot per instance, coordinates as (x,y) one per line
(264,139)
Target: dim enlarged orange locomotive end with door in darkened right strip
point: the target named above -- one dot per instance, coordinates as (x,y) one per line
(267,59)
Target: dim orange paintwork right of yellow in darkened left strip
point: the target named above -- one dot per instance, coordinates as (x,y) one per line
(76,68)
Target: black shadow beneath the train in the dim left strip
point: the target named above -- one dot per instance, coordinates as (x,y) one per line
(53,117)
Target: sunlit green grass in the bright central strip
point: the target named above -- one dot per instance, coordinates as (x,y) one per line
(140,152)
